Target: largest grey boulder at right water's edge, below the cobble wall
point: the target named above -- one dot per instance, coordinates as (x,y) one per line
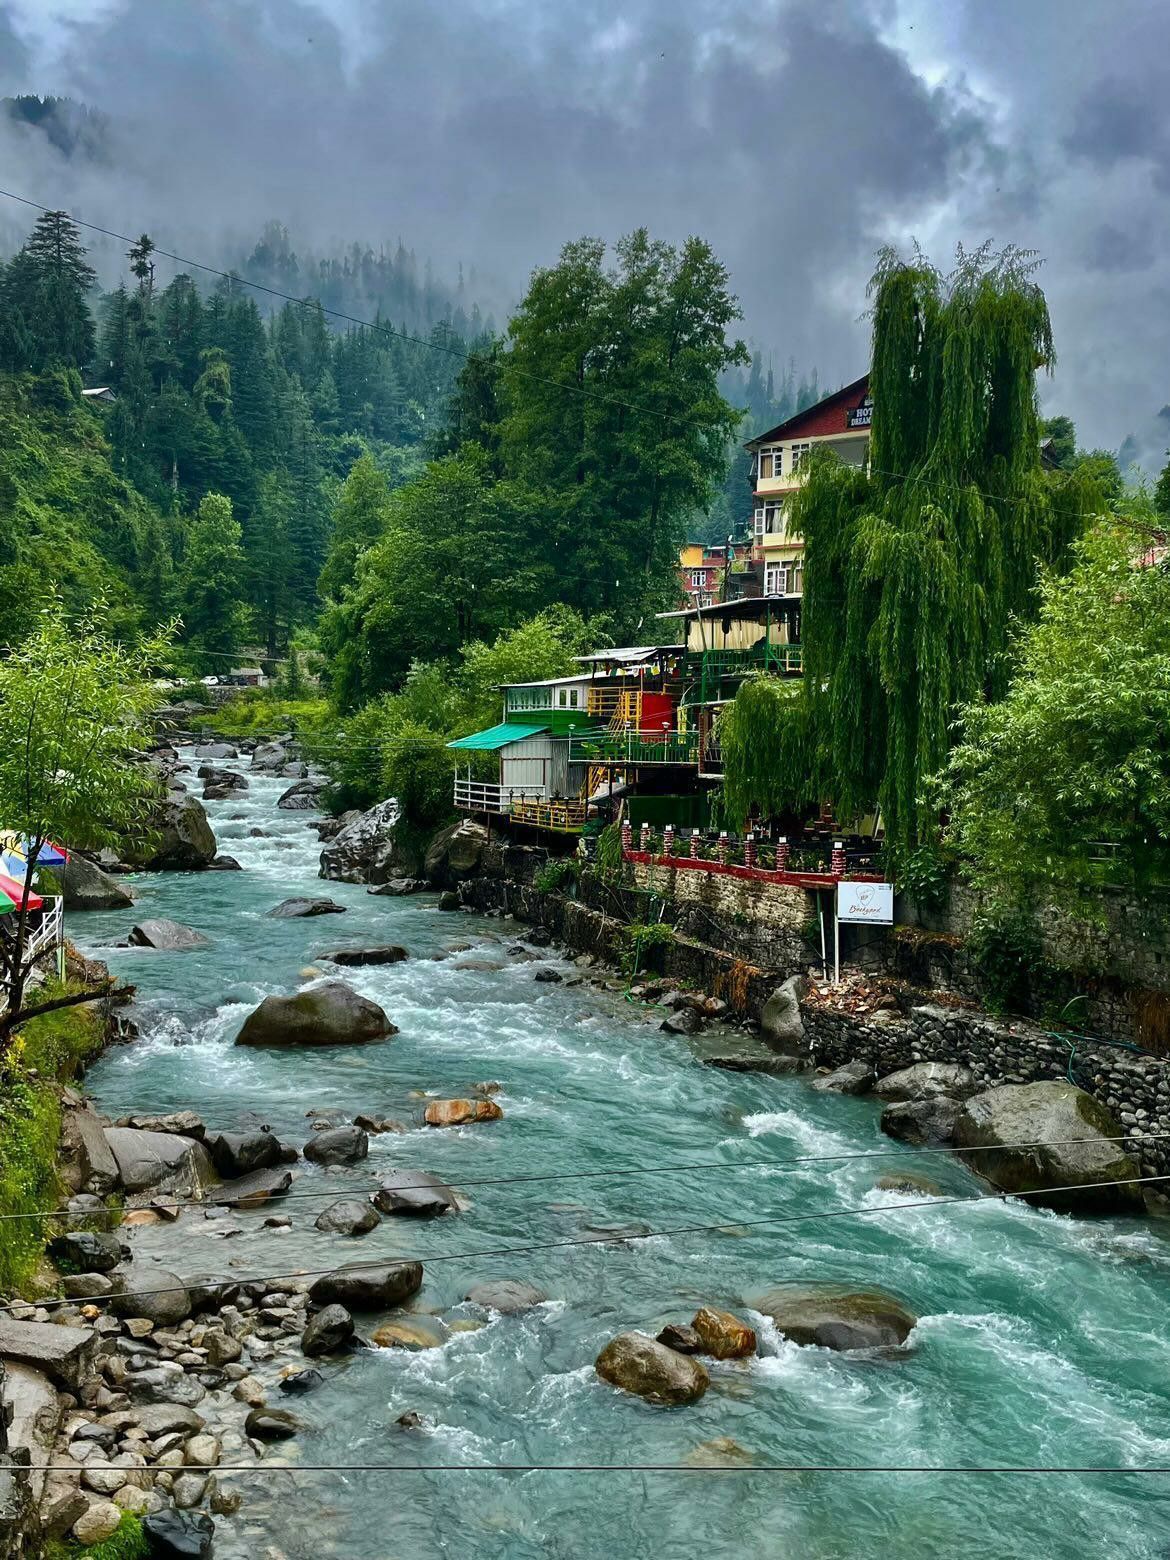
(1076,1144)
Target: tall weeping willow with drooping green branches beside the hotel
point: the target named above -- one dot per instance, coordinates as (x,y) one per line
(915,569)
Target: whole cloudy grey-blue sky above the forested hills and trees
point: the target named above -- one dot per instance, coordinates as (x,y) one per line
(795,136)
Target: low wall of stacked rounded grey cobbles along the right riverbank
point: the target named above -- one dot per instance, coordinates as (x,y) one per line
(1136,1088)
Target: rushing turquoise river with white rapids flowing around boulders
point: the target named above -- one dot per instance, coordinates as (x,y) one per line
(1043,1339)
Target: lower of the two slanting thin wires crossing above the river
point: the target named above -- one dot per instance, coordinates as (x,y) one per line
(617,1239)
